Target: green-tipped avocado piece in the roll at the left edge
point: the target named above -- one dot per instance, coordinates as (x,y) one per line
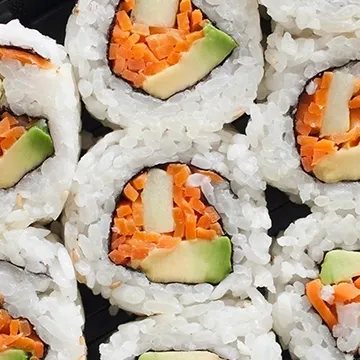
(26,154)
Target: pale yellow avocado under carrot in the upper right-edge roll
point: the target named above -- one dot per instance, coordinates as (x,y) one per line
(343,165)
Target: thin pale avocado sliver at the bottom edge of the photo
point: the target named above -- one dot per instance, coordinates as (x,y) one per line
(179,355)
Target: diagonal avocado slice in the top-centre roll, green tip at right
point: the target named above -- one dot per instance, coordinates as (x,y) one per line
(204,55)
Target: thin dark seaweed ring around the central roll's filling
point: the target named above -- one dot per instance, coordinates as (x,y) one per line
(163,166)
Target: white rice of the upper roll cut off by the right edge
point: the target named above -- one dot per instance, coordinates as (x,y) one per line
(292,62)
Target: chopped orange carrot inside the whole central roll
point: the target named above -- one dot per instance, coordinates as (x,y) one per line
(193,218)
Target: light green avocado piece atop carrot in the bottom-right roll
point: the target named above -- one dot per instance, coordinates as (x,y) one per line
(340,265)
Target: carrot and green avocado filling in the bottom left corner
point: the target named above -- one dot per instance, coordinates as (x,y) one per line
(18,339)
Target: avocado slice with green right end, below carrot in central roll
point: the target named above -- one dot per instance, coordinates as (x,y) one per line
(191,262)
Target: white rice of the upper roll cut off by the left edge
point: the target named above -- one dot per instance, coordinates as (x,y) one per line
(52,94)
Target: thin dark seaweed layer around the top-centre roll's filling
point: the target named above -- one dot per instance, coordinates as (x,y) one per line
(140,90)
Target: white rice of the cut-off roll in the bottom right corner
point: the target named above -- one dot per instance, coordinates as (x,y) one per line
(297,256)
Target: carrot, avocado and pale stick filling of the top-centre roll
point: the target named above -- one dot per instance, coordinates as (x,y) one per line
(152,51)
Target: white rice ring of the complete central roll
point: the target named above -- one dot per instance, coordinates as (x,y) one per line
(100,177)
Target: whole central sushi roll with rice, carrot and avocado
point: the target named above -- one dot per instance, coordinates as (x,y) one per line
(154,230)
